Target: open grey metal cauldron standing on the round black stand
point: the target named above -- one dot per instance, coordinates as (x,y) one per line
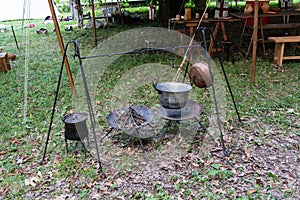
(172,95)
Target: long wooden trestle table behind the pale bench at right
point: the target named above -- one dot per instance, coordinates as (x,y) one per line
(285,14)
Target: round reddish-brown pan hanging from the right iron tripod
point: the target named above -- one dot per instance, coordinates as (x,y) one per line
(200,75)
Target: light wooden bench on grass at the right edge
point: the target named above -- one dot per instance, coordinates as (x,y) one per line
(279,48)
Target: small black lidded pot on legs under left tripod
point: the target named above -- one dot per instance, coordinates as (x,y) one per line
(75,126)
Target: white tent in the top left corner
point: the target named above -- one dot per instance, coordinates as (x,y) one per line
(24,9)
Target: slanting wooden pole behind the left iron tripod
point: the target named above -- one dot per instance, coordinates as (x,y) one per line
(61,44)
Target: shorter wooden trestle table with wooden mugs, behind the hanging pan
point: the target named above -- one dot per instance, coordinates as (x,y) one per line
(217,24)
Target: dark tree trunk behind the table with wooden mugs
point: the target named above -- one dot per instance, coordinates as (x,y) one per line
(170,8)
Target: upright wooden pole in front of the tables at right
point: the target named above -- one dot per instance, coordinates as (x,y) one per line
(254,42)
